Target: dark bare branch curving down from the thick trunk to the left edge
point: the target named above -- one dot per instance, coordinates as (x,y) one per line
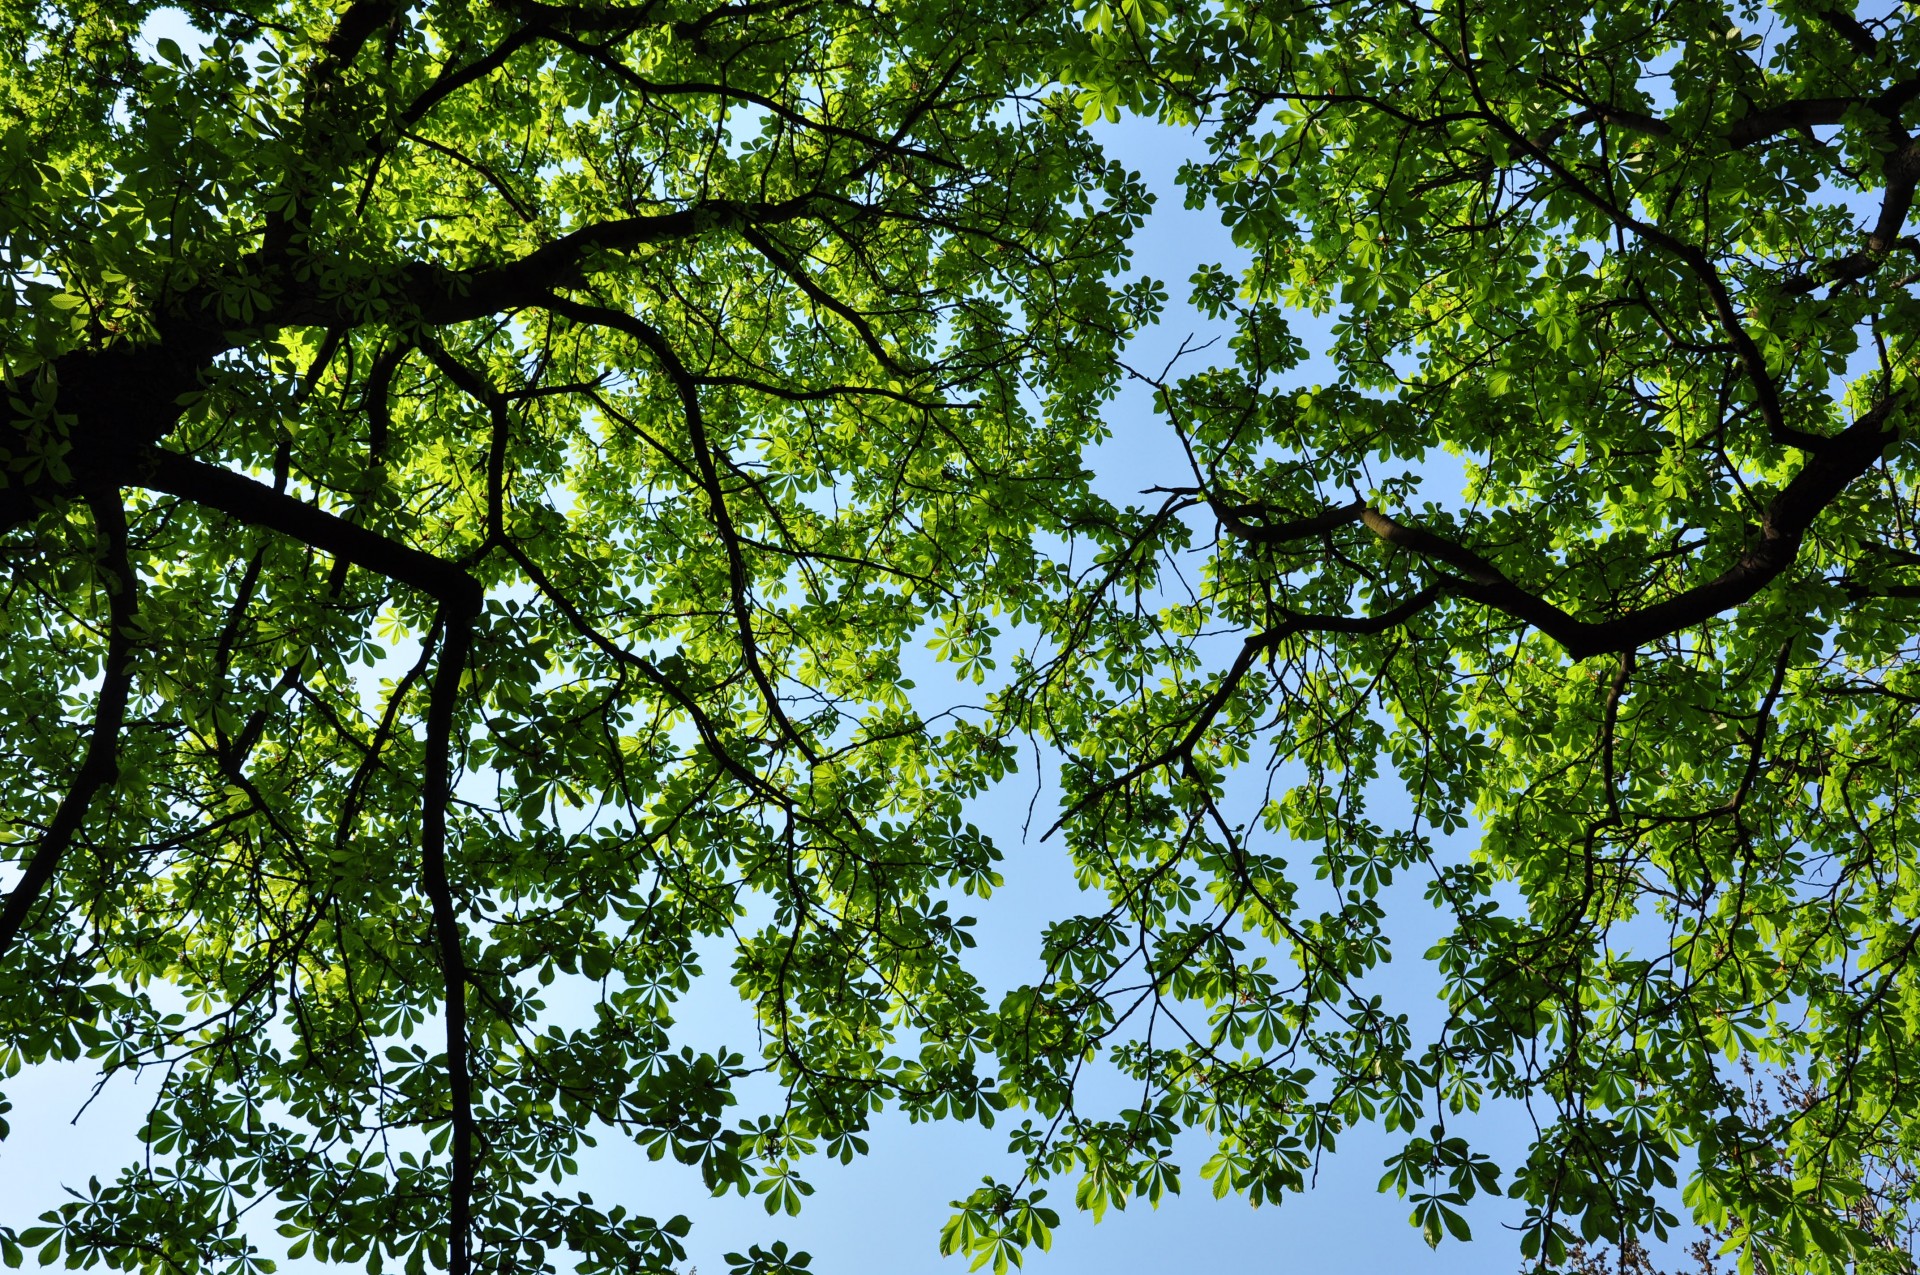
(101,767)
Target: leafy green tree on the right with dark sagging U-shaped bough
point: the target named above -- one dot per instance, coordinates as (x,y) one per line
(1600,542)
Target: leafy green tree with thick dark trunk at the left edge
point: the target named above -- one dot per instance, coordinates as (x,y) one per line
(471,471)
